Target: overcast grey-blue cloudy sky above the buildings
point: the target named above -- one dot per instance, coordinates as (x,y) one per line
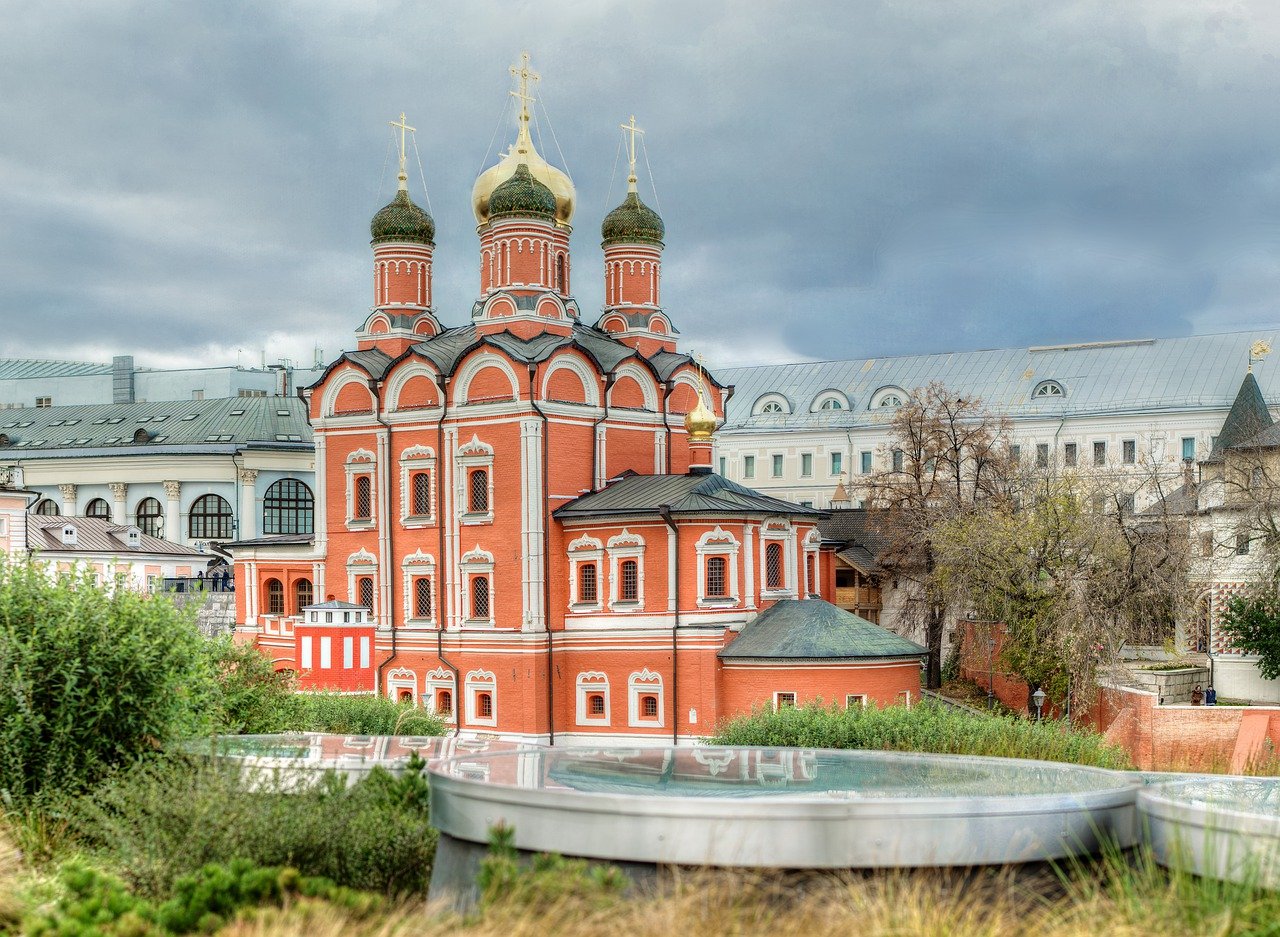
(194,182)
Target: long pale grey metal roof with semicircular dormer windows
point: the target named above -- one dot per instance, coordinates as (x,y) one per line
(1190,373)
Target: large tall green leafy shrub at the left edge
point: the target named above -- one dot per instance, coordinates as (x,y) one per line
(90,679)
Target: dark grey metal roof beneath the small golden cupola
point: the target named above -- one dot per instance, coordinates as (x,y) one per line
(680,495)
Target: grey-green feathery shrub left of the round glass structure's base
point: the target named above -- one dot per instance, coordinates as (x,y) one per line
(168,819)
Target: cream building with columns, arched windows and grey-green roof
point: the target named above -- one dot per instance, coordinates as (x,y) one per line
(190,472)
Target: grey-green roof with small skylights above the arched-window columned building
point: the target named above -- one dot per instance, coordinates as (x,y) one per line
(211,426)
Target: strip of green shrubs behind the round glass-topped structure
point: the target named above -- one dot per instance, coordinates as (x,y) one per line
(924,728)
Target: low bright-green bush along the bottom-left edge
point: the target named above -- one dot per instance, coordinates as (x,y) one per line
(97,903)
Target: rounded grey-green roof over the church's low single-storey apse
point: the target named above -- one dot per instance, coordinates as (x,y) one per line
(816,630)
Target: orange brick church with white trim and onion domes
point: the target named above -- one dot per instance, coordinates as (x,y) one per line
(516,522)
